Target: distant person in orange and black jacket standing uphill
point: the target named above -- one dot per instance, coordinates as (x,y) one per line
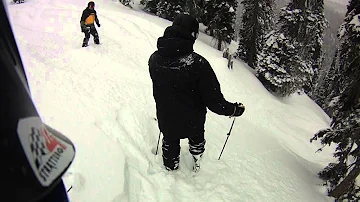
(87,20)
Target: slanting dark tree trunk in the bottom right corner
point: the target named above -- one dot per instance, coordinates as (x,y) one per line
(343,187)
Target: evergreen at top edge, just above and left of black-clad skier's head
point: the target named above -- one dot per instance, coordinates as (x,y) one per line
(169,9)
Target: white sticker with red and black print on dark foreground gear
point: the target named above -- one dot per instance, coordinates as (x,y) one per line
(48,155)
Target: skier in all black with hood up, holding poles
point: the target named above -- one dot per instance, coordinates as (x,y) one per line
(184,85)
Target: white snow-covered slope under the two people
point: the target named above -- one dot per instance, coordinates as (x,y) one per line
(101,98)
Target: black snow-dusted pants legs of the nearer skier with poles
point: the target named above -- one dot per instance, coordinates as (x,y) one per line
(171,149)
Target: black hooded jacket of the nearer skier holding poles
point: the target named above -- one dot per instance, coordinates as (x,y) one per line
(184,84)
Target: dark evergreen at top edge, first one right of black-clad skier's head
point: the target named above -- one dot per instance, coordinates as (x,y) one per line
(222,24)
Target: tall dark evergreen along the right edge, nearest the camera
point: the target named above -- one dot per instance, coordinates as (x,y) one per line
(345,125)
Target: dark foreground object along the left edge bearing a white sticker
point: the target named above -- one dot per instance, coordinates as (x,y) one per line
(20,160)
